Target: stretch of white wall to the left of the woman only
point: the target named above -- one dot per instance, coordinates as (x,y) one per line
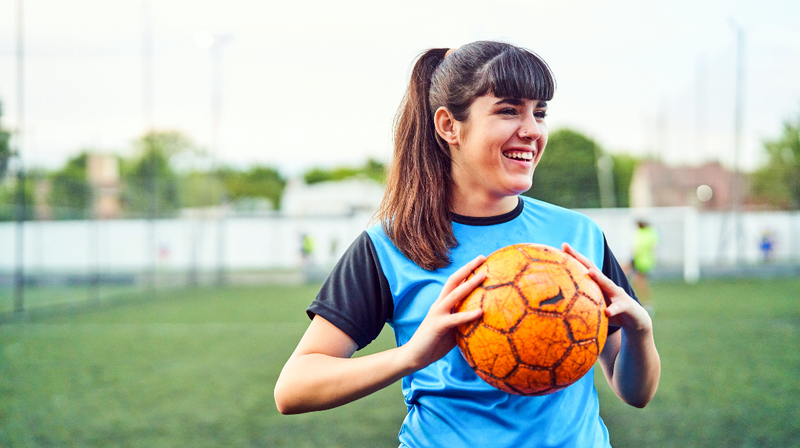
(178,244)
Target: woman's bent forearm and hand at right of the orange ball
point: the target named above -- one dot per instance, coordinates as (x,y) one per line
(629,359)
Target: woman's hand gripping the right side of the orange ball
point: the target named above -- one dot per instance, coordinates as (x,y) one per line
(621,309)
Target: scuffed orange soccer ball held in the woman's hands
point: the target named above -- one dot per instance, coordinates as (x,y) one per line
(543,322)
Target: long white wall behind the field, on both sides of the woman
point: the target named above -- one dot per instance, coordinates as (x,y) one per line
(274,242)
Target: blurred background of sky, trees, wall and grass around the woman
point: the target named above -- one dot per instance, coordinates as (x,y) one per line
(177,178)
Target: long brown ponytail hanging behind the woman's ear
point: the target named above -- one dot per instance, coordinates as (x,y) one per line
(415,211)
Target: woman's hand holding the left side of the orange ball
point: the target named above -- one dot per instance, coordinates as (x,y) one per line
(435,336)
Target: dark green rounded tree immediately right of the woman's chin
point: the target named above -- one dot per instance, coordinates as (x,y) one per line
(567,173)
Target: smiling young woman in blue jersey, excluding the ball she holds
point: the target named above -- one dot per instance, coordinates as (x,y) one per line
(469,134)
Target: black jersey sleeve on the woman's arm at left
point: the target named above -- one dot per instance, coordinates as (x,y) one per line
(356,297)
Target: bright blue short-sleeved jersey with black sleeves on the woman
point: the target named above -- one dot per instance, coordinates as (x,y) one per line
(448,404)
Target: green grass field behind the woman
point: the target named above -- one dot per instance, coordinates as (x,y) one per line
(197,368)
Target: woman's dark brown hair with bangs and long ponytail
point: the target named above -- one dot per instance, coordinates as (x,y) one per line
(415,211)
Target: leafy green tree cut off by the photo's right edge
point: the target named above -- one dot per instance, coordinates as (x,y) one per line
(777,184)
